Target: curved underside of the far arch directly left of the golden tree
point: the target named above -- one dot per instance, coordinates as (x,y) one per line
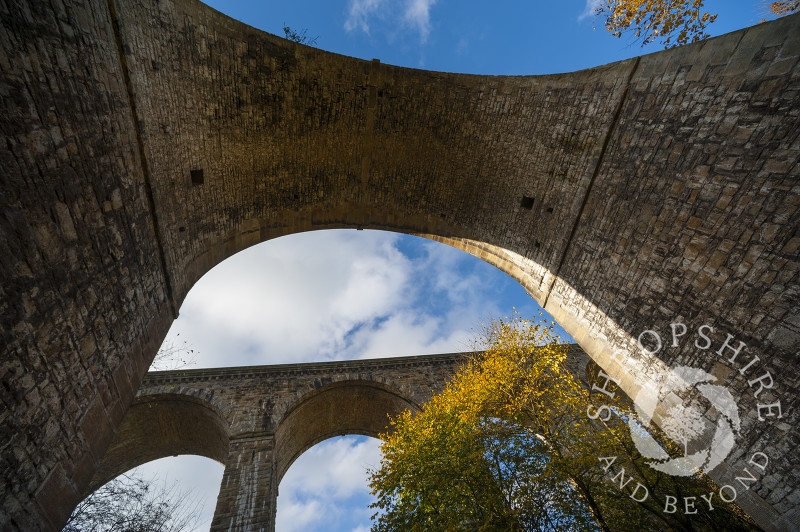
(345,407)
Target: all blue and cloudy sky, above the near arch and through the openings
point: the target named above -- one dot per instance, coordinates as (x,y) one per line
(335,295)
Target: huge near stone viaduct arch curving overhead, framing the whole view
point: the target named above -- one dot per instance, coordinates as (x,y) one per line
(144,142)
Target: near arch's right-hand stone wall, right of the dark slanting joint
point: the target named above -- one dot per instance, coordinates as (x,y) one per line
(693,217)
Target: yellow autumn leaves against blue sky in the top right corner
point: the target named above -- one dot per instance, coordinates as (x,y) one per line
(672,22)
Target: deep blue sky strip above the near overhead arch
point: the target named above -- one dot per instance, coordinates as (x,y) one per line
(513,37)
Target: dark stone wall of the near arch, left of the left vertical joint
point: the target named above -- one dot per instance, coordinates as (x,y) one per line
(82,290)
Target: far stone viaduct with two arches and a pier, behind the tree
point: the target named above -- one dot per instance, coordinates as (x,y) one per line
(258,420)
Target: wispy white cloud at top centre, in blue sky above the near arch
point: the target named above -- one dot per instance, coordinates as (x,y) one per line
(412,14)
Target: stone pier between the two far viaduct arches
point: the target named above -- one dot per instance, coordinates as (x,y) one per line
(248,493)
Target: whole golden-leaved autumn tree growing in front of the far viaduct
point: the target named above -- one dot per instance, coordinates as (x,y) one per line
(509,446)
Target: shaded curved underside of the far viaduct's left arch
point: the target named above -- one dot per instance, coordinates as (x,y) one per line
(160,425)
